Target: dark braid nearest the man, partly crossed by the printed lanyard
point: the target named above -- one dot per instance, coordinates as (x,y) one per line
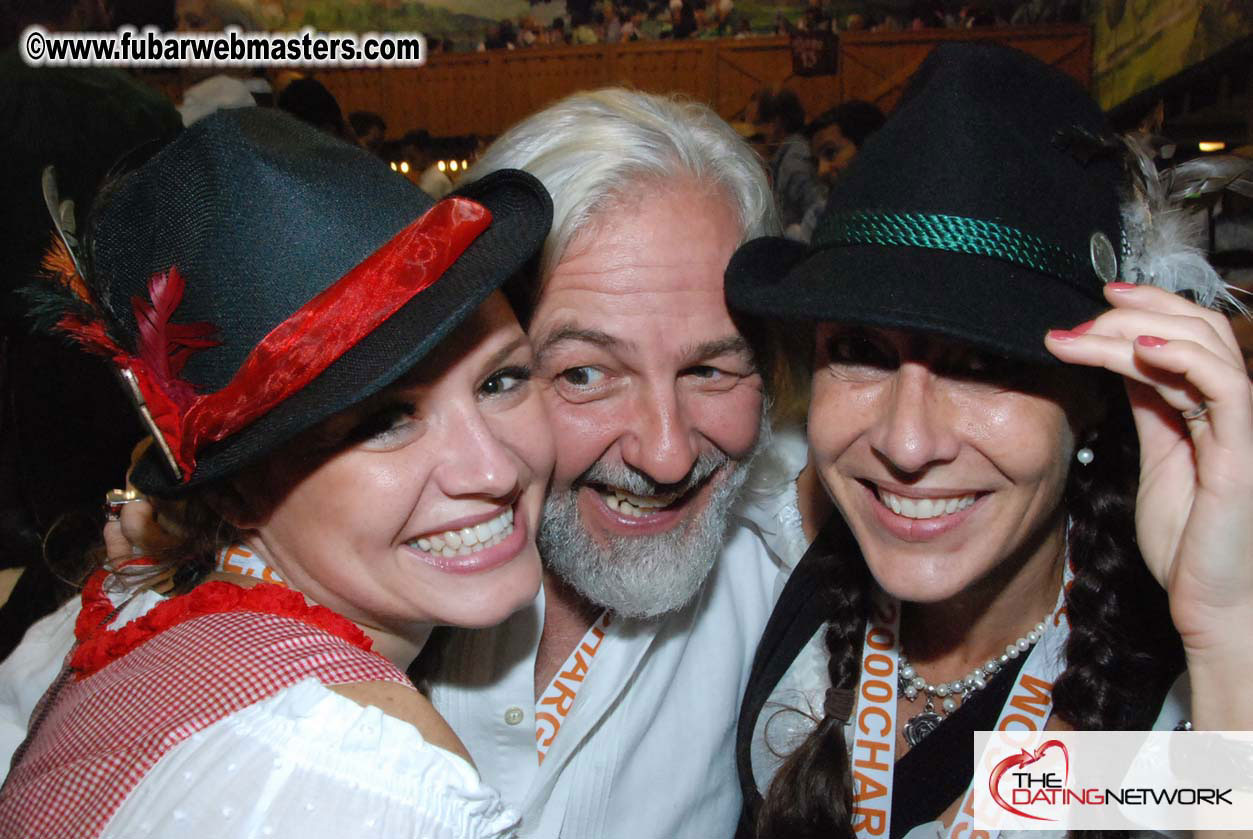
(813,791)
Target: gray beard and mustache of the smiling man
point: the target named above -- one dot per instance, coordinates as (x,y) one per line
(642,577)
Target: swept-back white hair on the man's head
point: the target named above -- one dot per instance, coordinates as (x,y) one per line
(598,150)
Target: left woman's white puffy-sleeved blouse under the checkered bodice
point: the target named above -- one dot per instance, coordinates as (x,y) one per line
(306,763)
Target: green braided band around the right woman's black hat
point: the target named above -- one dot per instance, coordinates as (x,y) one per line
(954,234)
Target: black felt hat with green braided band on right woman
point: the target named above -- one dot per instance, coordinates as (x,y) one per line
(985,210)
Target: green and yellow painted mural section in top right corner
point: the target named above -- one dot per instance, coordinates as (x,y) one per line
(1141,43)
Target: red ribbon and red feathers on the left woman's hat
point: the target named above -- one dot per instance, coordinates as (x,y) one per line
(296,351)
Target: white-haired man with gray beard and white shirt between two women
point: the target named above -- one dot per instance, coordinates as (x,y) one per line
(608,711)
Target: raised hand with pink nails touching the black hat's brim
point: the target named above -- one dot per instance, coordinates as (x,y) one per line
(1196,497)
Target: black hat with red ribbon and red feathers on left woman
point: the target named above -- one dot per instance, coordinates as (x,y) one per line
(257,277)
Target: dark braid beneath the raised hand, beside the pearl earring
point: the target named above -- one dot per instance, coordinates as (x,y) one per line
(1123,651)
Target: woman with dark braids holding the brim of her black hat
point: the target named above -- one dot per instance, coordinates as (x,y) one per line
(1013,533)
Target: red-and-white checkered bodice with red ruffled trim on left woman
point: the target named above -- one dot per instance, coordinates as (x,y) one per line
(136,693)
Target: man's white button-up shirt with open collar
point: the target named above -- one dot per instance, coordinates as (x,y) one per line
(647,752)
